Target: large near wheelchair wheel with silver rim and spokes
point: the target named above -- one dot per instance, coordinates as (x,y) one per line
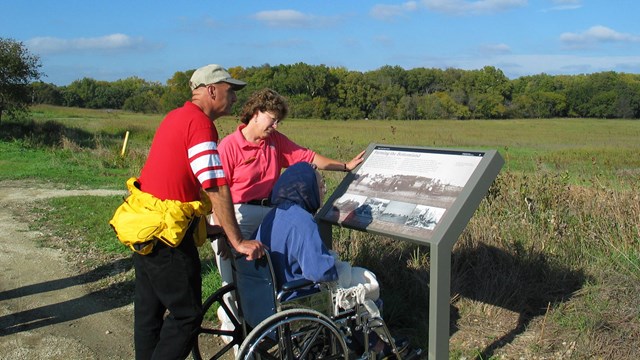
(295,334)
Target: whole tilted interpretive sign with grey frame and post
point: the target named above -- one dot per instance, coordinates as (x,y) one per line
(419,194)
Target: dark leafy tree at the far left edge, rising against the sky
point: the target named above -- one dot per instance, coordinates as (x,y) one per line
(18,68)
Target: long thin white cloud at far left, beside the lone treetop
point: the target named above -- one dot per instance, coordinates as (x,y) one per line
(52,45)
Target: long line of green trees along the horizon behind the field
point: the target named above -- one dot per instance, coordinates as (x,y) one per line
(319,91)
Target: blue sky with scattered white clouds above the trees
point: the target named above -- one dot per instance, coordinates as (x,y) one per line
(110,40)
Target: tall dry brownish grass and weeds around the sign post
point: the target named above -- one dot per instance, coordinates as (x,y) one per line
(544,270)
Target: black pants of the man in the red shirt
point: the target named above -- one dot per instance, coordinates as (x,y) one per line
(167,279)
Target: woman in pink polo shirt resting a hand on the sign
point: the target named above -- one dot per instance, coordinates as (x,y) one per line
(254,156)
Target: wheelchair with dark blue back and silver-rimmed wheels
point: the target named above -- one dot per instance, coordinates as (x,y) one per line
(297,320)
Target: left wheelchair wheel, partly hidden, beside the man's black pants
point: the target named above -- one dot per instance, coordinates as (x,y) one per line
(209,343)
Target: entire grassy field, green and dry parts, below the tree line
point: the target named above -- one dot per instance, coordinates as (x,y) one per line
(548,267)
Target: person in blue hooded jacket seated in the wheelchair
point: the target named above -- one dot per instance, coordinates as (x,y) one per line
(296,249)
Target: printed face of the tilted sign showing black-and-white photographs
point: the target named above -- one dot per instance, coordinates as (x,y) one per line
(403,191)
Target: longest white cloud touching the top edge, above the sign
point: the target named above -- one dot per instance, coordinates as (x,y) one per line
(463,7)
